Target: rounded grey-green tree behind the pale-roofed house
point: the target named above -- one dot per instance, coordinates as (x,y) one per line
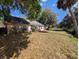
(48,18)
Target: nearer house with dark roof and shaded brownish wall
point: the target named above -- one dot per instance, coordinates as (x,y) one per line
(16,24)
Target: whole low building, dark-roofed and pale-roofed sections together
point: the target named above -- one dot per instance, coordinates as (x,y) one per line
(15,24)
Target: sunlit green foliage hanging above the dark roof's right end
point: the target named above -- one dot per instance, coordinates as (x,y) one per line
(33,8)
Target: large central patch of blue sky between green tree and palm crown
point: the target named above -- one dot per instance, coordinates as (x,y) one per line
(51,4)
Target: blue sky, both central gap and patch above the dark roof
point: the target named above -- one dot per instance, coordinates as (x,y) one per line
(51,4)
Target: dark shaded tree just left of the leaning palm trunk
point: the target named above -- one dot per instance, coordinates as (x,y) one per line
(67,24)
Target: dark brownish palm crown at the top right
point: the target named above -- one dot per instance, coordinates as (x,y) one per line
(64,4)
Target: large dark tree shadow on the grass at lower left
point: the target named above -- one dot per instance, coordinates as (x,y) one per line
(13,44)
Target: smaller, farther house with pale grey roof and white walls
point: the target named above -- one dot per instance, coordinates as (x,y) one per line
(38,26)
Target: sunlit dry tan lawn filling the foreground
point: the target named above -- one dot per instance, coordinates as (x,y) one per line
(51,45)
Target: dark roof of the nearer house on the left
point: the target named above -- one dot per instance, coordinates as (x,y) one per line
(16,19)
